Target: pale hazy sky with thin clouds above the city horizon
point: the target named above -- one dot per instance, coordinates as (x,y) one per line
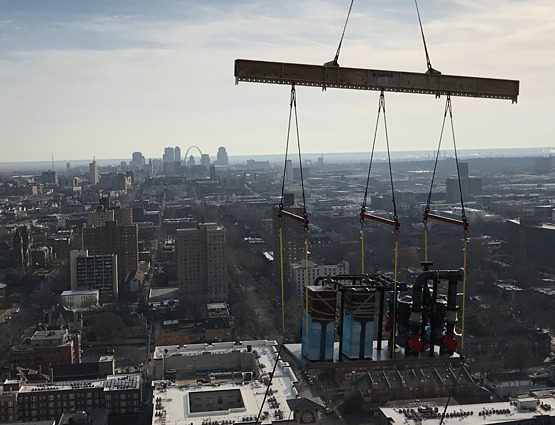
(105,78)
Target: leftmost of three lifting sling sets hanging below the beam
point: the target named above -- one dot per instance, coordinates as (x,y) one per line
(282,212)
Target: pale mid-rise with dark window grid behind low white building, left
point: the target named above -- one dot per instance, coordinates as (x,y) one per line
(94,272)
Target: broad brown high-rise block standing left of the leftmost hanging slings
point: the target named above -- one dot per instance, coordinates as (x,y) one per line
(202,263)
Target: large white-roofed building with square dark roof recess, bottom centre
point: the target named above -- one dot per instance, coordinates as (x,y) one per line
(242,372)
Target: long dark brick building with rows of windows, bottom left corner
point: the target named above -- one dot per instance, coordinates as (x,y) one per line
(119,394)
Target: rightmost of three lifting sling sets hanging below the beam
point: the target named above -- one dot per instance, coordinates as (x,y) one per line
(463,222)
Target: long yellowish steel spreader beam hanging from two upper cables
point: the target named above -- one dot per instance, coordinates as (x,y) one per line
(331,76)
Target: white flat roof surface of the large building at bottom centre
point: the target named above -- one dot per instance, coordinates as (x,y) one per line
(174,403)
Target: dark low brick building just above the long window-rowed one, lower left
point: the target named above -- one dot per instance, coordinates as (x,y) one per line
(48,347)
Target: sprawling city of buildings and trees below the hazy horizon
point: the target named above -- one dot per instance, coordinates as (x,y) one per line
(139,291)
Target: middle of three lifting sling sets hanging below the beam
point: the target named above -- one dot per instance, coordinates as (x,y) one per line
(394,222)
